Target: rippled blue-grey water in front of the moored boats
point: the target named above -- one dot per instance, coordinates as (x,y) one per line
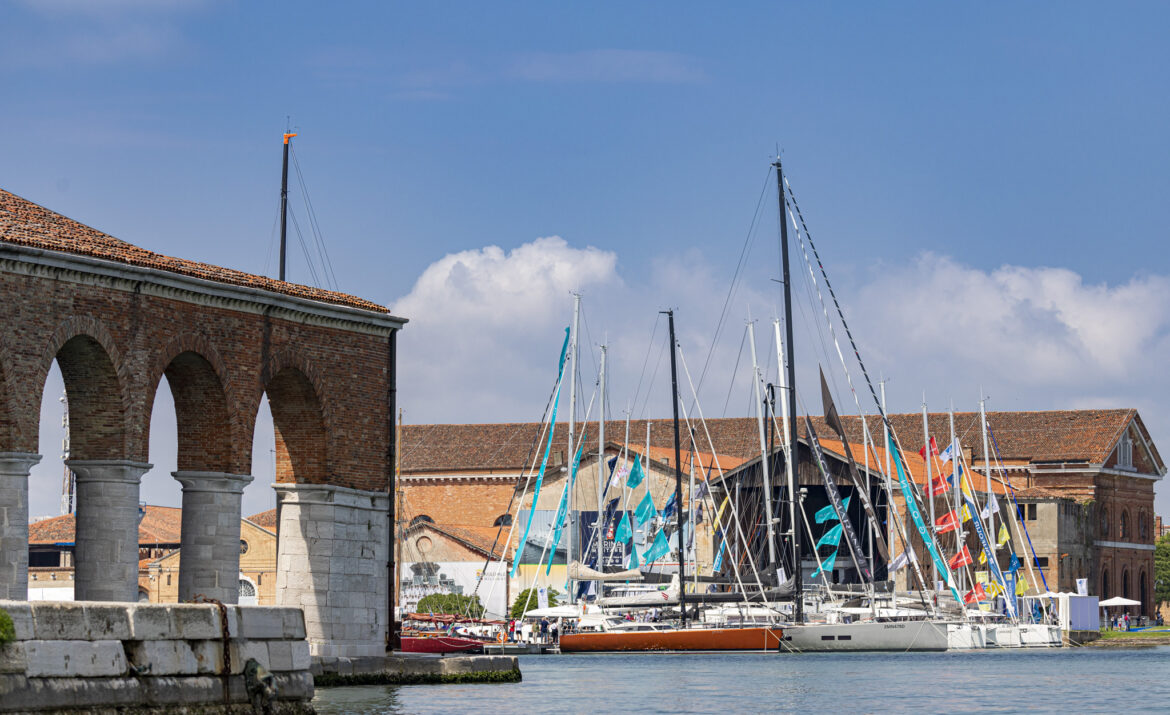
(1072,680)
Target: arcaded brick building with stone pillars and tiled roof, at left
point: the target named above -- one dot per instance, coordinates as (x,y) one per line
(118,319)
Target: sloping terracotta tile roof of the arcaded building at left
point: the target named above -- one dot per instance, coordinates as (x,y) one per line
(27,224)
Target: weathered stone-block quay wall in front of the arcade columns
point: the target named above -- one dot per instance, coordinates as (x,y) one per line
(114,657)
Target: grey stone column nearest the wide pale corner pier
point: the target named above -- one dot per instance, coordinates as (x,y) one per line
(210,558)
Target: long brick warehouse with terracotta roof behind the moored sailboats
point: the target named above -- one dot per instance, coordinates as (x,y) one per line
(1084,478)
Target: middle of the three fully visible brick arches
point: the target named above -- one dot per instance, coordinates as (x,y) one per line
(202,390)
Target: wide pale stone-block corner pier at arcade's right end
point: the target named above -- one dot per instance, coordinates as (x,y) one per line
(334,556)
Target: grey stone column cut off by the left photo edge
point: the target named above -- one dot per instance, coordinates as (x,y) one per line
(15,467)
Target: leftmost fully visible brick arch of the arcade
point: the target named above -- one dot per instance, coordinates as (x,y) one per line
(97,381)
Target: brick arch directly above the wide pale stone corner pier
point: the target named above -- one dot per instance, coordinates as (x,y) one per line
(300,421)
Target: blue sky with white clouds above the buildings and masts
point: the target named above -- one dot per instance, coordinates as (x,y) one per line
(996,169)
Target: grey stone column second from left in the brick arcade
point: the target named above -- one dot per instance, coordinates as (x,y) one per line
(106,551)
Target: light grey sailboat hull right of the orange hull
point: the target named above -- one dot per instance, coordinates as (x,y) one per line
(868,636)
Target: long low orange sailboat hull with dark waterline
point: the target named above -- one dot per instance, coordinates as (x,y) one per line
(690,640)
